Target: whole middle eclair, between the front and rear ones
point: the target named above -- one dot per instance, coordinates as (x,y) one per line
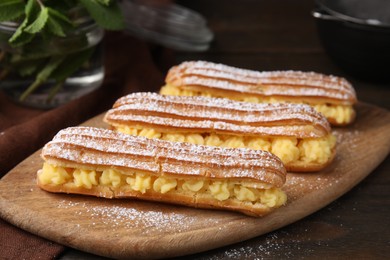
(296,133)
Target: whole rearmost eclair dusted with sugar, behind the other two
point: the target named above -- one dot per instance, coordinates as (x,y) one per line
(330,95)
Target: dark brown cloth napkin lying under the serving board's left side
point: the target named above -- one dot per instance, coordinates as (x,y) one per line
(131,66)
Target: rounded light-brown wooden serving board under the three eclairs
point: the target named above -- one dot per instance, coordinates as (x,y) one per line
(136,229)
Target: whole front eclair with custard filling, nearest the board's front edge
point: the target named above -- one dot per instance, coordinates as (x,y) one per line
(104,163)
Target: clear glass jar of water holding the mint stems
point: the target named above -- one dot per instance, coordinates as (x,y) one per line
(77,58)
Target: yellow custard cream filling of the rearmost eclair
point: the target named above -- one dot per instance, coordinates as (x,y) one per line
(342,114)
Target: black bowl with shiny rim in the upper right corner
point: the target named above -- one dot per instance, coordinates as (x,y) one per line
(359,43)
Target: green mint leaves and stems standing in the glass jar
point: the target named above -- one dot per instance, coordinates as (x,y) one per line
(41,21)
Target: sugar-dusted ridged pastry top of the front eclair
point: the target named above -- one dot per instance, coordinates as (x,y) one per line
(98,148)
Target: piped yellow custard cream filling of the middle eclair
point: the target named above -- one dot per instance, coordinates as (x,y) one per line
(289,150)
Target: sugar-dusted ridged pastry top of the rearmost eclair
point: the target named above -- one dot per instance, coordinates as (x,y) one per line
(273,83)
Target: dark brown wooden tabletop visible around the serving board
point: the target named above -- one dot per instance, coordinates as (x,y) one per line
(279,35)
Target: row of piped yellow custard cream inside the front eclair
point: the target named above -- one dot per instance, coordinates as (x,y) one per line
(143,182)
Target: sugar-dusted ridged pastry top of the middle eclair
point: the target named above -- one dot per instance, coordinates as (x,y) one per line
(219,115)
